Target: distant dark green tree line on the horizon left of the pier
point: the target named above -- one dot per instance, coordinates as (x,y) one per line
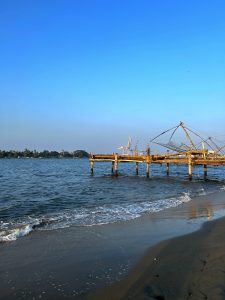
(43,154)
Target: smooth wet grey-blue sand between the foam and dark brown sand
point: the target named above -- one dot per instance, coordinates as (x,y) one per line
(72,262)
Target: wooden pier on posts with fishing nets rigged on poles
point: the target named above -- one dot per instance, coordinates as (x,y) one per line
(187,154)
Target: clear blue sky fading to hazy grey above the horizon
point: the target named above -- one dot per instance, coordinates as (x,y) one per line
(87,74)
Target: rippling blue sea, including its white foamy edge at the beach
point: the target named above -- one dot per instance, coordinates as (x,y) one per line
(47,194)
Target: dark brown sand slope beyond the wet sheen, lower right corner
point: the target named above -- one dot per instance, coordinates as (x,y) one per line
(187,267)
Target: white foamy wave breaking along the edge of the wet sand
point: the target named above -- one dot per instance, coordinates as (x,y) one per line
(87,217)
